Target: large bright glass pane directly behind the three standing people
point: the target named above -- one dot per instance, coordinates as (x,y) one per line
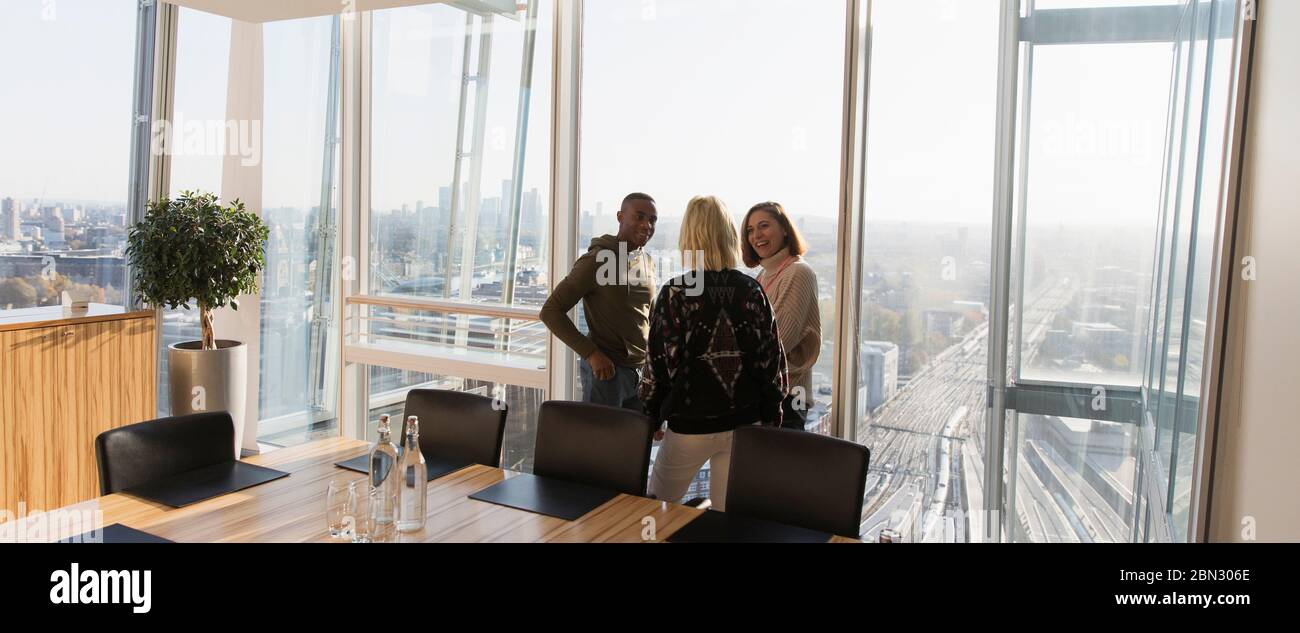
(742,101)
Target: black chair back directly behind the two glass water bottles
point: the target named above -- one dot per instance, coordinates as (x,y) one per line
(458,426)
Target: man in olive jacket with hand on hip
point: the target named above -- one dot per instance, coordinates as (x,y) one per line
(616,284)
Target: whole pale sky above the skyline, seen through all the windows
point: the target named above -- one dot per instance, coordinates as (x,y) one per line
(735,98)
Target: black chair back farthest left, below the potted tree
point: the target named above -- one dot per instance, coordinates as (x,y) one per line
(149,452)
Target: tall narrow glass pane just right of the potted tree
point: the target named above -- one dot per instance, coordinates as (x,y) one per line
(300,206)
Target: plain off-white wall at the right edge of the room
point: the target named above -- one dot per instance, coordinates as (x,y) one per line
(1258,470)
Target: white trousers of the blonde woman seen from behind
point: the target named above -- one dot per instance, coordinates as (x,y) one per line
(682,457)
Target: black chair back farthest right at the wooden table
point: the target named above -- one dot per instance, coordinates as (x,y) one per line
(798,479)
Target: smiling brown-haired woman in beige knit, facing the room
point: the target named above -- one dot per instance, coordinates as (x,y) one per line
(773,242)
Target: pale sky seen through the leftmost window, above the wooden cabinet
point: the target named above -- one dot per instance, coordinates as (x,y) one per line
(66,98)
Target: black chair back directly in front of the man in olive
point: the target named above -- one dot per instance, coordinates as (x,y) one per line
(600,446)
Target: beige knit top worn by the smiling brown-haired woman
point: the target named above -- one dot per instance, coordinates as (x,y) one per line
(794,296)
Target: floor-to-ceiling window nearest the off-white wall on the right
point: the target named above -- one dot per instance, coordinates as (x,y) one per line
(1119,154)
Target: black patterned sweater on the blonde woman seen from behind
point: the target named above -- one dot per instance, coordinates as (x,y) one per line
(716,362)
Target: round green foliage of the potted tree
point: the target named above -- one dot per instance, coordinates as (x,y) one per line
(193,250)
